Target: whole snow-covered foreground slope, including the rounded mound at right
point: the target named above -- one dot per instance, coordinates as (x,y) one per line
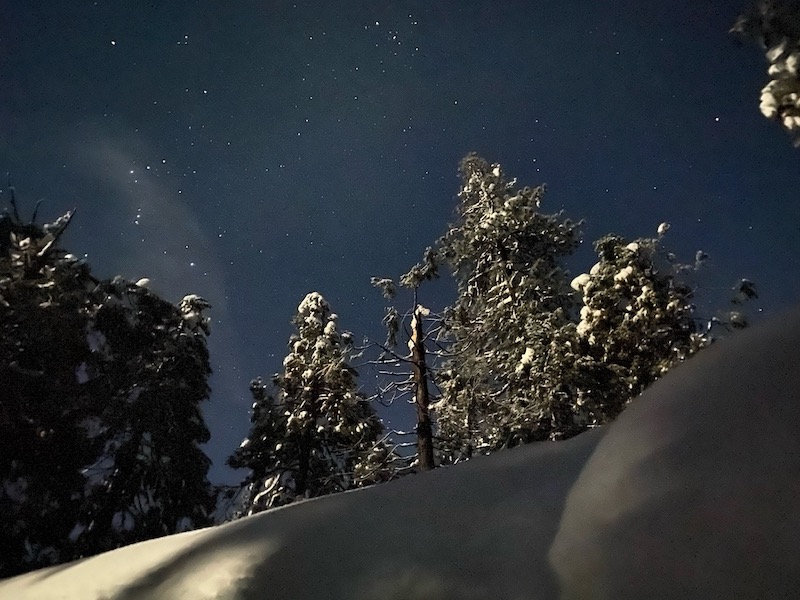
(692,493)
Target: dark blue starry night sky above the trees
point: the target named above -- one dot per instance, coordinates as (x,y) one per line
(252,152)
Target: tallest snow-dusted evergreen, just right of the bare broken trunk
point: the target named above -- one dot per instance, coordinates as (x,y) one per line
(513,303)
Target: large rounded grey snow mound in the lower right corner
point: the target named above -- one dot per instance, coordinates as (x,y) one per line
(694,492)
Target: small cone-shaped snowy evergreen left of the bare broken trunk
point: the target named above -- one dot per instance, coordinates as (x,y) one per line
(317,434)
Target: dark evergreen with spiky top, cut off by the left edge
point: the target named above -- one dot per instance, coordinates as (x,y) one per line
(42,404)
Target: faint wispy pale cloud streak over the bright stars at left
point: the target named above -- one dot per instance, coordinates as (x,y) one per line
(153,231)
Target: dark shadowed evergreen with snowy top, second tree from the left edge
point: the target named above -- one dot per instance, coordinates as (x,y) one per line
(149,478)
